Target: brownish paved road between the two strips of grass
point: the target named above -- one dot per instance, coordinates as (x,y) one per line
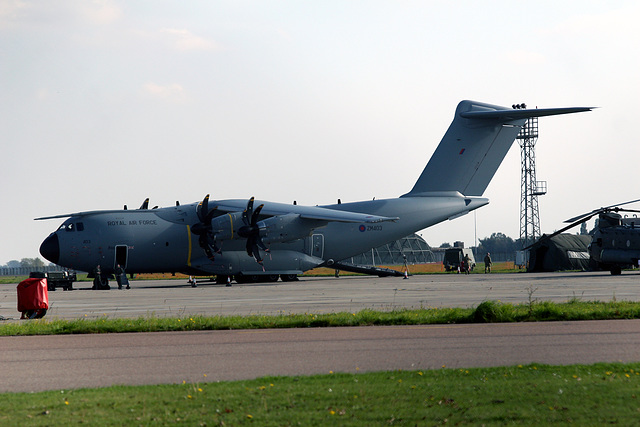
(62,362)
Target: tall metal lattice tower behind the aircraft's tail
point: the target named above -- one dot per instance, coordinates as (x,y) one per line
(530,188)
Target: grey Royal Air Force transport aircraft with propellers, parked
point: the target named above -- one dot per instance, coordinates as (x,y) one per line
(240,238)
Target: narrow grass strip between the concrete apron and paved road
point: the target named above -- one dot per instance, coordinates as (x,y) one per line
(488,311)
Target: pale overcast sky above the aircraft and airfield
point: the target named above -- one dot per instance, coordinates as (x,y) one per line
(105,103)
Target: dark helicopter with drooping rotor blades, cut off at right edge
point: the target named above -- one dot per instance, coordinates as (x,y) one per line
(615,242)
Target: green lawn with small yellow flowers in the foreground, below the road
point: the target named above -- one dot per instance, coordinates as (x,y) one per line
(520,395)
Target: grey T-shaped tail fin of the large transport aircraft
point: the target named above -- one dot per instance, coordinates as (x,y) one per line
(473,147)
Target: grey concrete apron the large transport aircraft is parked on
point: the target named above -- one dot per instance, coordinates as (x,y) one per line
(327,294)
